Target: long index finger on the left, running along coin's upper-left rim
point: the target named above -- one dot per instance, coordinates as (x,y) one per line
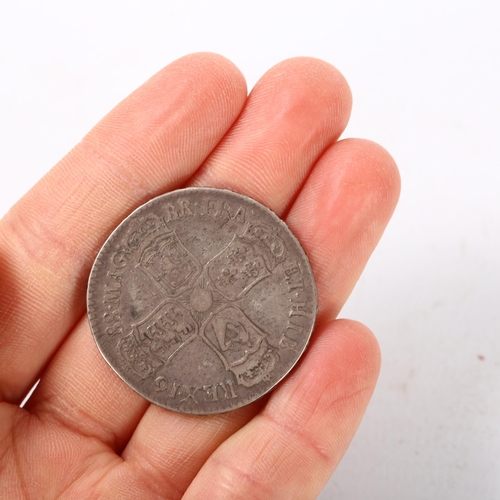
(151,142)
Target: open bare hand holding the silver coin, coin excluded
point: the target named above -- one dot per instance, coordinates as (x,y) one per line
(84,433)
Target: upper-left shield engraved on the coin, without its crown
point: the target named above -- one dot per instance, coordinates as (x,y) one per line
(165,260)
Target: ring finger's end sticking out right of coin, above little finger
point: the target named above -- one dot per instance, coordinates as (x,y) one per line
(341,214)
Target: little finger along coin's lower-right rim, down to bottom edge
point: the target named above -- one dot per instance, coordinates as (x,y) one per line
(291,448)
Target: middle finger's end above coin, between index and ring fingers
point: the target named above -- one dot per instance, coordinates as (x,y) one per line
(295,112)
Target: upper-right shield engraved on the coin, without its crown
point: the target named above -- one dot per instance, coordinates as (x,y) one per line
(237,269)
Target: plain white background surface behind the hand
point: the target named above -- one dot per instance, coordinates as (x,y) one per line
(425,77)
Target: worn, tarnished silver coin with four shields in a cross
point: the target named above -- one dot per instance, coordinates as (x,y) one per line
(202,300)
